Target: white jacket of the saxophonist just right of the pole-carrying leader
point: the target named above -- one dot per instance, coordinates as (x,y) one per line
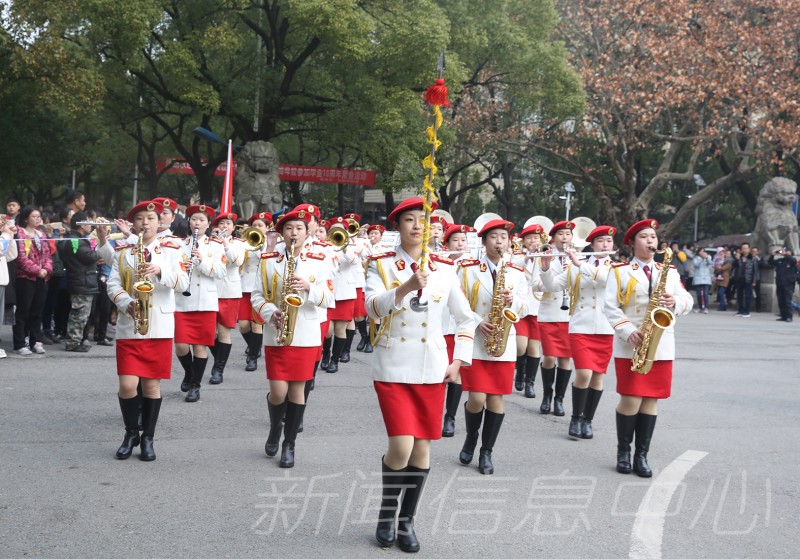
(477,282)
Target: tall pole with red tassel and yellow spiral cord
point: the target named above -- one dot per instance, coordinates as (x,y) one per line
(436,96)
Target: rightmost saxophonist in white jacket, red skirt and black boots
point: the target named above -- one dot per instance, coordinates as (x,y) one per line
(627,297)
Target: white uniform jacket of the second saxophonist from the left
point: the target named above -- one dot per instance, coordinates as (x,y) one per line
(268,293)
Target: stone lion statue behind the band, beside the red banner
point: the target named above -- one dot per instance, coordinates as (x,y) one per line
(258,183)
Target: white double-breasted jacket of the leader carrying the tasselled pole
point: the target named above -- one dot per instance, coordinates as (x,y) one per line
(411,348)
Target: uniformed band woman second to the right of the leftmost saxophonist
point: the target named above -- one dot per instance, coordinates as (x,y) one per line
(229,292)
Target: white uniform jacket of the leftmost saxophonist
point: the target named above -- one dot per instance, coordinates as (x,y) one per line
(166,255)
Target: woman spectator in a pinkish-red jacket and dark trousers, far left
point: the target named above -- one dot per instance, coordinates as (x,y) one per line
(34,267)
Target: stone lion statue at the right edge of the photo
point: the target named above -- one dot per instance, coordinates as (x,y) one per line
(776,225)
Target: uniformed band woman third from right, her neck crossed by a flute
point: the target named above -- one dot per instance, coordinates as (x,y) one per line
(554,326)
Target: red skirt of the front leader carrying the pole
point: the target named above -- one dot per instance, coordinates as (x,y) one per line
(412,409)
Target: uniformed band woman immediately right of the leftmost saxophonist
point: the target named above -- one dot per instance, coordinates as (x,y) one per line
(195,319)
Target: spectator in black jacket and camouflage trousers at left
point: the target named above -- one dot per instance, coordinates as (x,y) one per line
(81,261)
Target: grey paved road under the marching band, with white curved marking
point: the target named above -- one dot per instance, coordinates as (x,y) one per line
(213,492)
